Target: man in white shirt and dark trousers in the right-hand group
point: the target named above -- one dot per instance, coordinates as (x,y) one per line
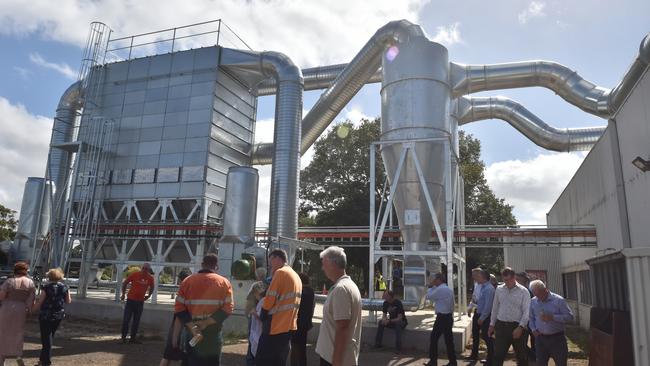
(509,319)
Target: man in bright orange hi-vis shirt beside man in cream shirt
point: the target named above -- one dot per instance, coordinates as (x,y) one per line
(279,312)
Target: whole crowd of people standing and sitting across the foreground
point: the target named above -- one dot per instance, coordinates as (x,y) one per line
(280,306)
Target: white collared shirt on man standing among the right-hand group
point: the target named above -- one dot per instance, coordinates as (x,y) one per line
(511,305)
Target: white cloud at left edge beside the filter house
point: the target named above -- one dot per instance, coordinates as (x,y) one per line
(23,150)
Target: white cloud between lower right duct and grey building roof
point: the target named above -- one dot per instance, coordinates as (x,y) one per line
(532,186)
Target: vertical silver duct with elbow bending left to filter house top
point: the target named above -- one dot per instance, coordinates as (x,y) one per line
(285,175)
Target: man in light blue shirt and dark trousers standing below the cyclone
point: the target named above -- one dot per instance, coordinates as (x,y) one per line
(443,298)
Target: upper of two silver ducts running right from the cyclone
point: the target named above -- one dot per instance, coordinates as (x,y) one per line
(602,102)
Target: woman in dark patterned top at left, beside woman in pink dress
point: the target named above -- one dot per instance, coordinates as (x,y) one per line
(51,303)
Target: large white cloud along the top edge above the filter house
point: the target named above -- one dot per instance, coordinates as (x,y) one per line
(312,32)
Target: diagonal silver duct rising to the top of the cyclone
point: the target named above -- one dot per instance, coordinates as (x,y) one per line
(348,83)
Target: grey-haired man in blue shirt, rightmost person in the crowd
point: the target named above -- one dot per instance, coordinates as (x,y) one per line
(549,314)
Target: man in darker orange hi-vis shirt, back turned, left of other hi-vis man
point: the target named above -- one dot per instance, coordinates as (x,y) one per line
(207,298)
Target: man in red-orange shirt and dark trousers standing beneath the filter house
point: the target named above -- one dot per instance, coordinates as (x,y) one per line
(141,287)
